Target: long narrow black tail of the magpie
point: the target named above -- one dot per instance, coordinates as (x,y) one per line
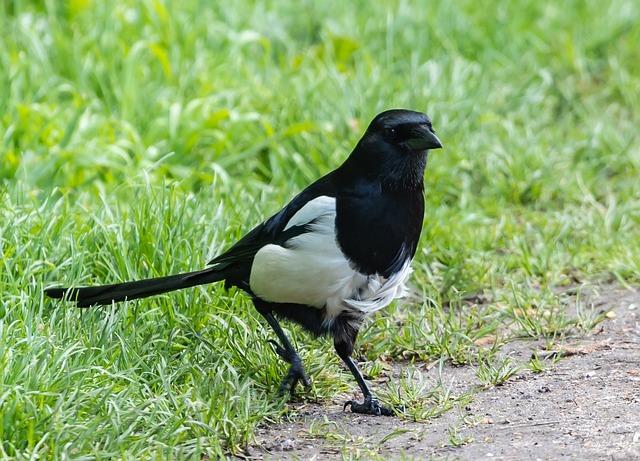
(107,294)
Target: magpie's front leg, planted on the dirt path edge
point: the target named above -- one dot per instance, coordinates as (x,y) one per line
(343,343)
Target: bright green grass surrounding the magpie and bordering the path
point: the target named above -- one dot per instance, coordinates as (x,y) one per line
(142,138)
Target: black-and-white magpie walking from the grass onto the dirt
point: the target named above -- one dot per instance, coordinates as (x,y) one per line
(339,251)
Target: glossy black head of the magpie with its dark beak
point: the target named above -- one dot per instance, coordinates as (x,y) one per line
(394,148)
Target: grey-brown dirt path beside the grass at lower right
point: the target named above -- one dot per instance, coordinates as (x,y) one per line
(587,407)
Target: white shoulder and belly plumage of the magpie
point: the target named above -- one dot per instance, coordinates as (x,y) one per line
(313,271)
